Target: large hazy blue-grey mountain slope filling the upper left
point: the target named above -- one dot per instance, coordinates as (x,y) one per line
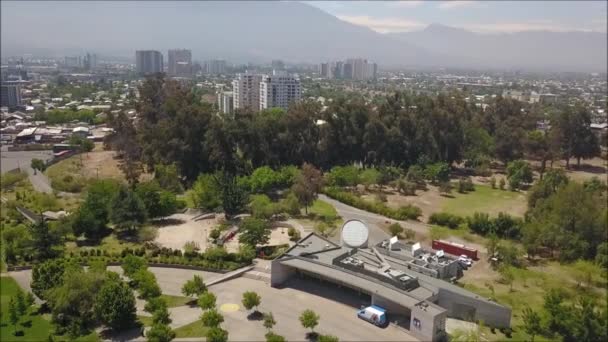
(238,31)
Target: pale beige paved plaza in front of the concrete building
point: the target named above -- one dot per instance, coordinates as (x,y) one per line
(286,304)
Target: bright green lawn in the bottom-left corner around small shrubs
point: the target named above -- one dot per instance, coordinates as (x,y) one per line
(40,327)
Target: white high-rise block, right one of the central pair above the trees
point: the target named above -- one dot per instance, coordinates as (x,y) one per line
(279,90)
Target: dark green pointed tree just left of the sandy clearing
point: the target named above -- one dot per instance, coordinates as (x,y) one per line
(128,211)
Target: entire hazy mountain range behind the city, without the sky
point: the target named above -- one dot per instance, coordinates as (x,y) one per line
(292,31)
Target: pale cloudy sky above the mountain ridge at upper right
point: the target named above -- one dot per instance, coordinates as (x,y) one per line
(479,16)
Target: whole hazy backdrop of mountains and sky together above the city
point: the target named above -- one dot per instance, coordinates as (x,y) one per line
(311,32)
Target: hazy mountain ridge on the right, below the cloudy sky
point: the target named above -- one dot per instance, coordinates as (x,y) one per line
(539,50)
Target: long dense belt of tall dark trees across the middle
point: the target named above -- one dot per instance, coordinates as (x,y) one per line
(174,127)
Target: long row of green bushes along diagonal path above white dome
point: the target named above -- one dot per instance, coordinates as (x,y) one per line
(408,212)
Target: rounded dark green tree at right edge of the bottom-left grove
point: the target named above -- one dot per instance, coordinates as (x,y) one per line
(115,305)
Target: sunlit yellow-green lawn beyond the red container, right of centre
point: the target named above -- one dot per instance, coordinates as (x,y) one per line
(487,200)
